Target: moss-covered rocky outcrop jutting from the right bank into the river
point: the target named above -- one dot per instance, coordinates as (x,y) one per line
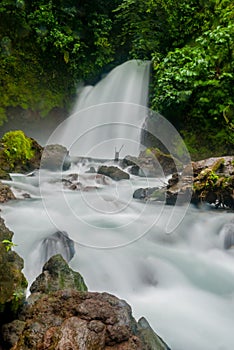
(210,181)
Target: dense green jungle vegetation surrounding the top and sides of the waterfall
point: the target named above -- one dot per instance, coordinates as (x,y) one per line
(48,46)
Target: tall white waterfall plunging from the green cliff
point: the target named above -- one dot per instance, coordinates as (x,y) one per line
(109,115)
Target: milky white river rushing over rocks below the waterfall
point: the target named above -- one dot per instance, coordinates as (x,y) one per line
(182,282)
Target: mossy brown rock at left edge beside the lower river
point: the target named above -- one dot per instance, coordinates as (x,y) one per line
(12,282)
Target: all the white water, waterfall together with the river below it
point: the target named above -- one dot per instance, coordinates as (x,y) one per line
(182,282)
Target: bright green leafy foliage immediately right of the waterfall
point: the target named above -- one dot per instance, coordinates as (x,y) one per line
(195,85)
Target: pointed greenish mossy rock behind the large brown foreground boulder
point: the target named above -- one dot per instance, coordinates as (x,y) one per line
(57,275)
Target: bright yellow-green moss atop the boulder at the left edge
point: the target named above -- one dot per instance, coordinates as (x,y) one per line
(17,147)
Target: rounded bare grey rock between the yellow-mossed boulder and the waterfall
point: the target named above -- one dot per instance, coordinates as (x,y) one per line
(55,158)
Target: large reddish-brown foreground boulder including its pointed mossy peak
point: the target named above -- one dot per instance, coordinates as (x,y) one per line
(66,318)
